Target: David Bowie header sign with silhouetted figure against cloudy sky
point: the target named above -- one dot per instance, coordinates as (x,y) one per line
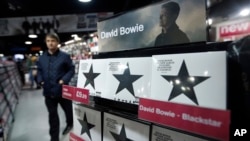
(164,23)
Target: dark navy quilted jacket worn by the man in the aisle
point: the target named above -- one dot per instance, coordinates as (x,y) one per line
(51,69)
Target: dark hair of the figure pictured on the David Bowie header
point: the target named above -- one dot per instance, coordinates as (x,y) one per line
(173,8)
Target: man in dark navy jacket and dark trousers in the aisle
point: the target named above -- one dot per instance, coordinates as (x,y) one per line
(55,68)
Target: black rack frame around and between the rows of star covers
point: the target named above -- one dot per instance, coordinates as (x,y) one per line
(235,96)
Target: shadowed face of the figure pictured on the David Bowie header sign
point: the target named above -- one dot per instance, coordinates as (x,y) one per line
(165,18)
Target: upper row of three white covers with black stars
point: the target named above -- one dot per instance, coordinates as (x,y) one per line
(197,79)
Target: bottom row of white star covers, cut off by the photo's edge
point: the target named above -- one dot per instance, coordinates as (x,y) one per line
(94,125)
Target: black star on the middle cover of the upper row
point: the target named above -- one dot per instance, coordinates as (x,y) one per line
(126,80)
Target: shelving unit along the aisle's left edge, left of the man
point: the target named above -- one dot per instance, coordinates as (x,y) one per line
(10,88)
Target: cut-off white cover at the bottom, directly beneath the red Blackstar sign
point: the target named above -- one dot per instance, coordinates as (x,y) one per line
(163,134)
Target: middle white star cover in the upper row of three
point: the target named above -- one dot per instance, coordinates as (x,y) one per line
(127,79)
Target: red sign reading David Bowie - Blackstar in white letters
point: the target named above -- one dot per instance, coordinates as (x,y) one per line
(207,122)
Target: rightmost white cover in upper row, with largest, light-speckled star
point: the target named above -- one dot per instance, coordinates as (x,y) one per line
(197,79)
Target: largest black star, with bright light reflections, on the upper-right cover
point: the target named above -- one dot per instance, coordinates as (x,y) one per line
(183,83)
